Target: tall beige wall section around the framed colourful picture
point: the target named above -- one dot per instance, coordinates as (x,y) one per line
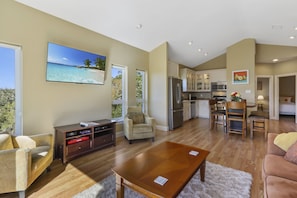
(241,56)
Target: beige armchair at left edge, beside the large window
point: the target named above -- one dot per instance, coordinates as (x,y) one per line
(22,160)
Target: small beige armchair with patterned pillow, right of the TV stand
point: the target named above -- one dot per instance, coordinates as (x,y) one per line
(138,125)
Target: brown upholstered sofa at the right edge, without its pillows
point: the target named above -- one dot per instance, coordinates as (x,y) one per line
(279,174)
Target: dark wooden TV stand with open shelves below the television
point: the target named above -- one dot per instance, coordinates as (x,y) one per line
(72,141)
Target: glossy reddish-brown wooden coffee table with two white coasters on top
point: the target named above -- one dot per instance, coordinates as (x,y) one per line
(170,160)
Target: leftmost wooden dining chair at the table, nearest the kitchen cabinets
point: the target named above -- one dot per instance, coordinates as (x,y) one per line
(217,114)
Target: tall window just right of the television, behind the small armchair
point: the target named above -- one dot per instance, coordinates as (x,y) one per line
(118,84)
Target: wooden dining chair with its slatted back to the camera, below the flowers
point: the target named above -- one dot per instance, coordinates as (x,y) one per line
(236,117)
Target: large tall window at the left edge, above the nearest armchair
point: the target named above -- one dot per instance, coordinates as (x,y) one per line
(10,89)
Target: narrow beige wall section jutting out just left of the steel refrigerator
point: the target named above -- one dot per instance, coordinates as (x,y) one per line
(158,102)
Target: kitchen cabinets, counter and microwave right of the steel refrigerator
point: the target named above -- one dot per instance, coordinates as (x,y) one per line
(200,86)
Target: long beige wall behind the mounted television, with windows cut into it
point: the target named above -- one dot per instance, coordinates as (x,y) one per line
(49,104)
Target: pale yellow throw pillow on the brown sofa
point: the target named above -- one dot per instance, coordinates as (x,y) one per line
(285,140)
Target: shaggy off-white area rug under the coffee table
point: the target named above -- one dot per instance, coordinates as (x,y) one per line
(220,182)
